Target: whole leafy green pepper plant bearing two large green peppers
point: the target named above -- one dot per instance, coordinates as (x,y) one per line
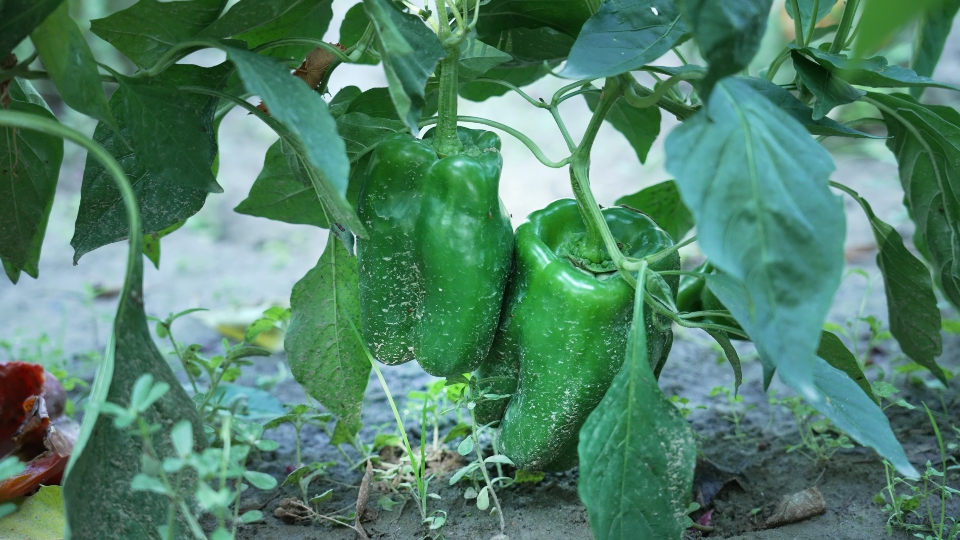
(578,325)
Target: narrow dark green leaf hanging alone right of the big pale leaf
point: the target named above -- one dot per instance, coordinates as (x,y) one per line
(911,303)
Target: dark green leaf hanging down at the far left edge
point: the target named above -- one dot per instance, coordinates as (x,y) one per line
(29,168)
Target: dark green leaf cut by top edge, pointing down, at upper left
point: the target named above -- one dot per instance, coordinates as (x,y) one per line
(145,31)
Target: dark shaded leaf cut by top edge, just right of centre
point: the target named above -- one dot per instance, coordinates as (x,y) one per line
(567,16)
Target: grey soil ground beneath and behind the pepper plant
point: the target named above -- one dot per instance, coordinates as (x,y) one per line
(236,264)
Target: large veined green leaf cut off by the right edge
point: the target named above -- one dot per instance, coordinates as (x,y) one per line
(926,141)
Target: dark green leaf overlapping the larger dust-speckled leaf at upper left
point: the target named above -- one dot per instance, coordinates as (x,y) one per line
(169,141)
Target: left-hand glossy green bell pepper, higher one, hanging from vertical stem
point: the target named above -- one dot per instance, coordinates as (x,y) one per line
(433,271)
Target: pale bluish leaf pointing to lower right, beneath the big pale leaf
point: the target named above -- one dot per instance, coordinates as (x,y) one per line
(836,392)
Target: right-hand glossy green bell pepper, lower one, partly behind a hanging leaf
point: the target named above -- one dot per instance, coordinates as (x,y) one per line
(564,331)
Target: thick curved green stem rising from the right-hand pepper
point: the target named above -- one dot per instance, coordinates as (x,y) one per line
(599,244)
